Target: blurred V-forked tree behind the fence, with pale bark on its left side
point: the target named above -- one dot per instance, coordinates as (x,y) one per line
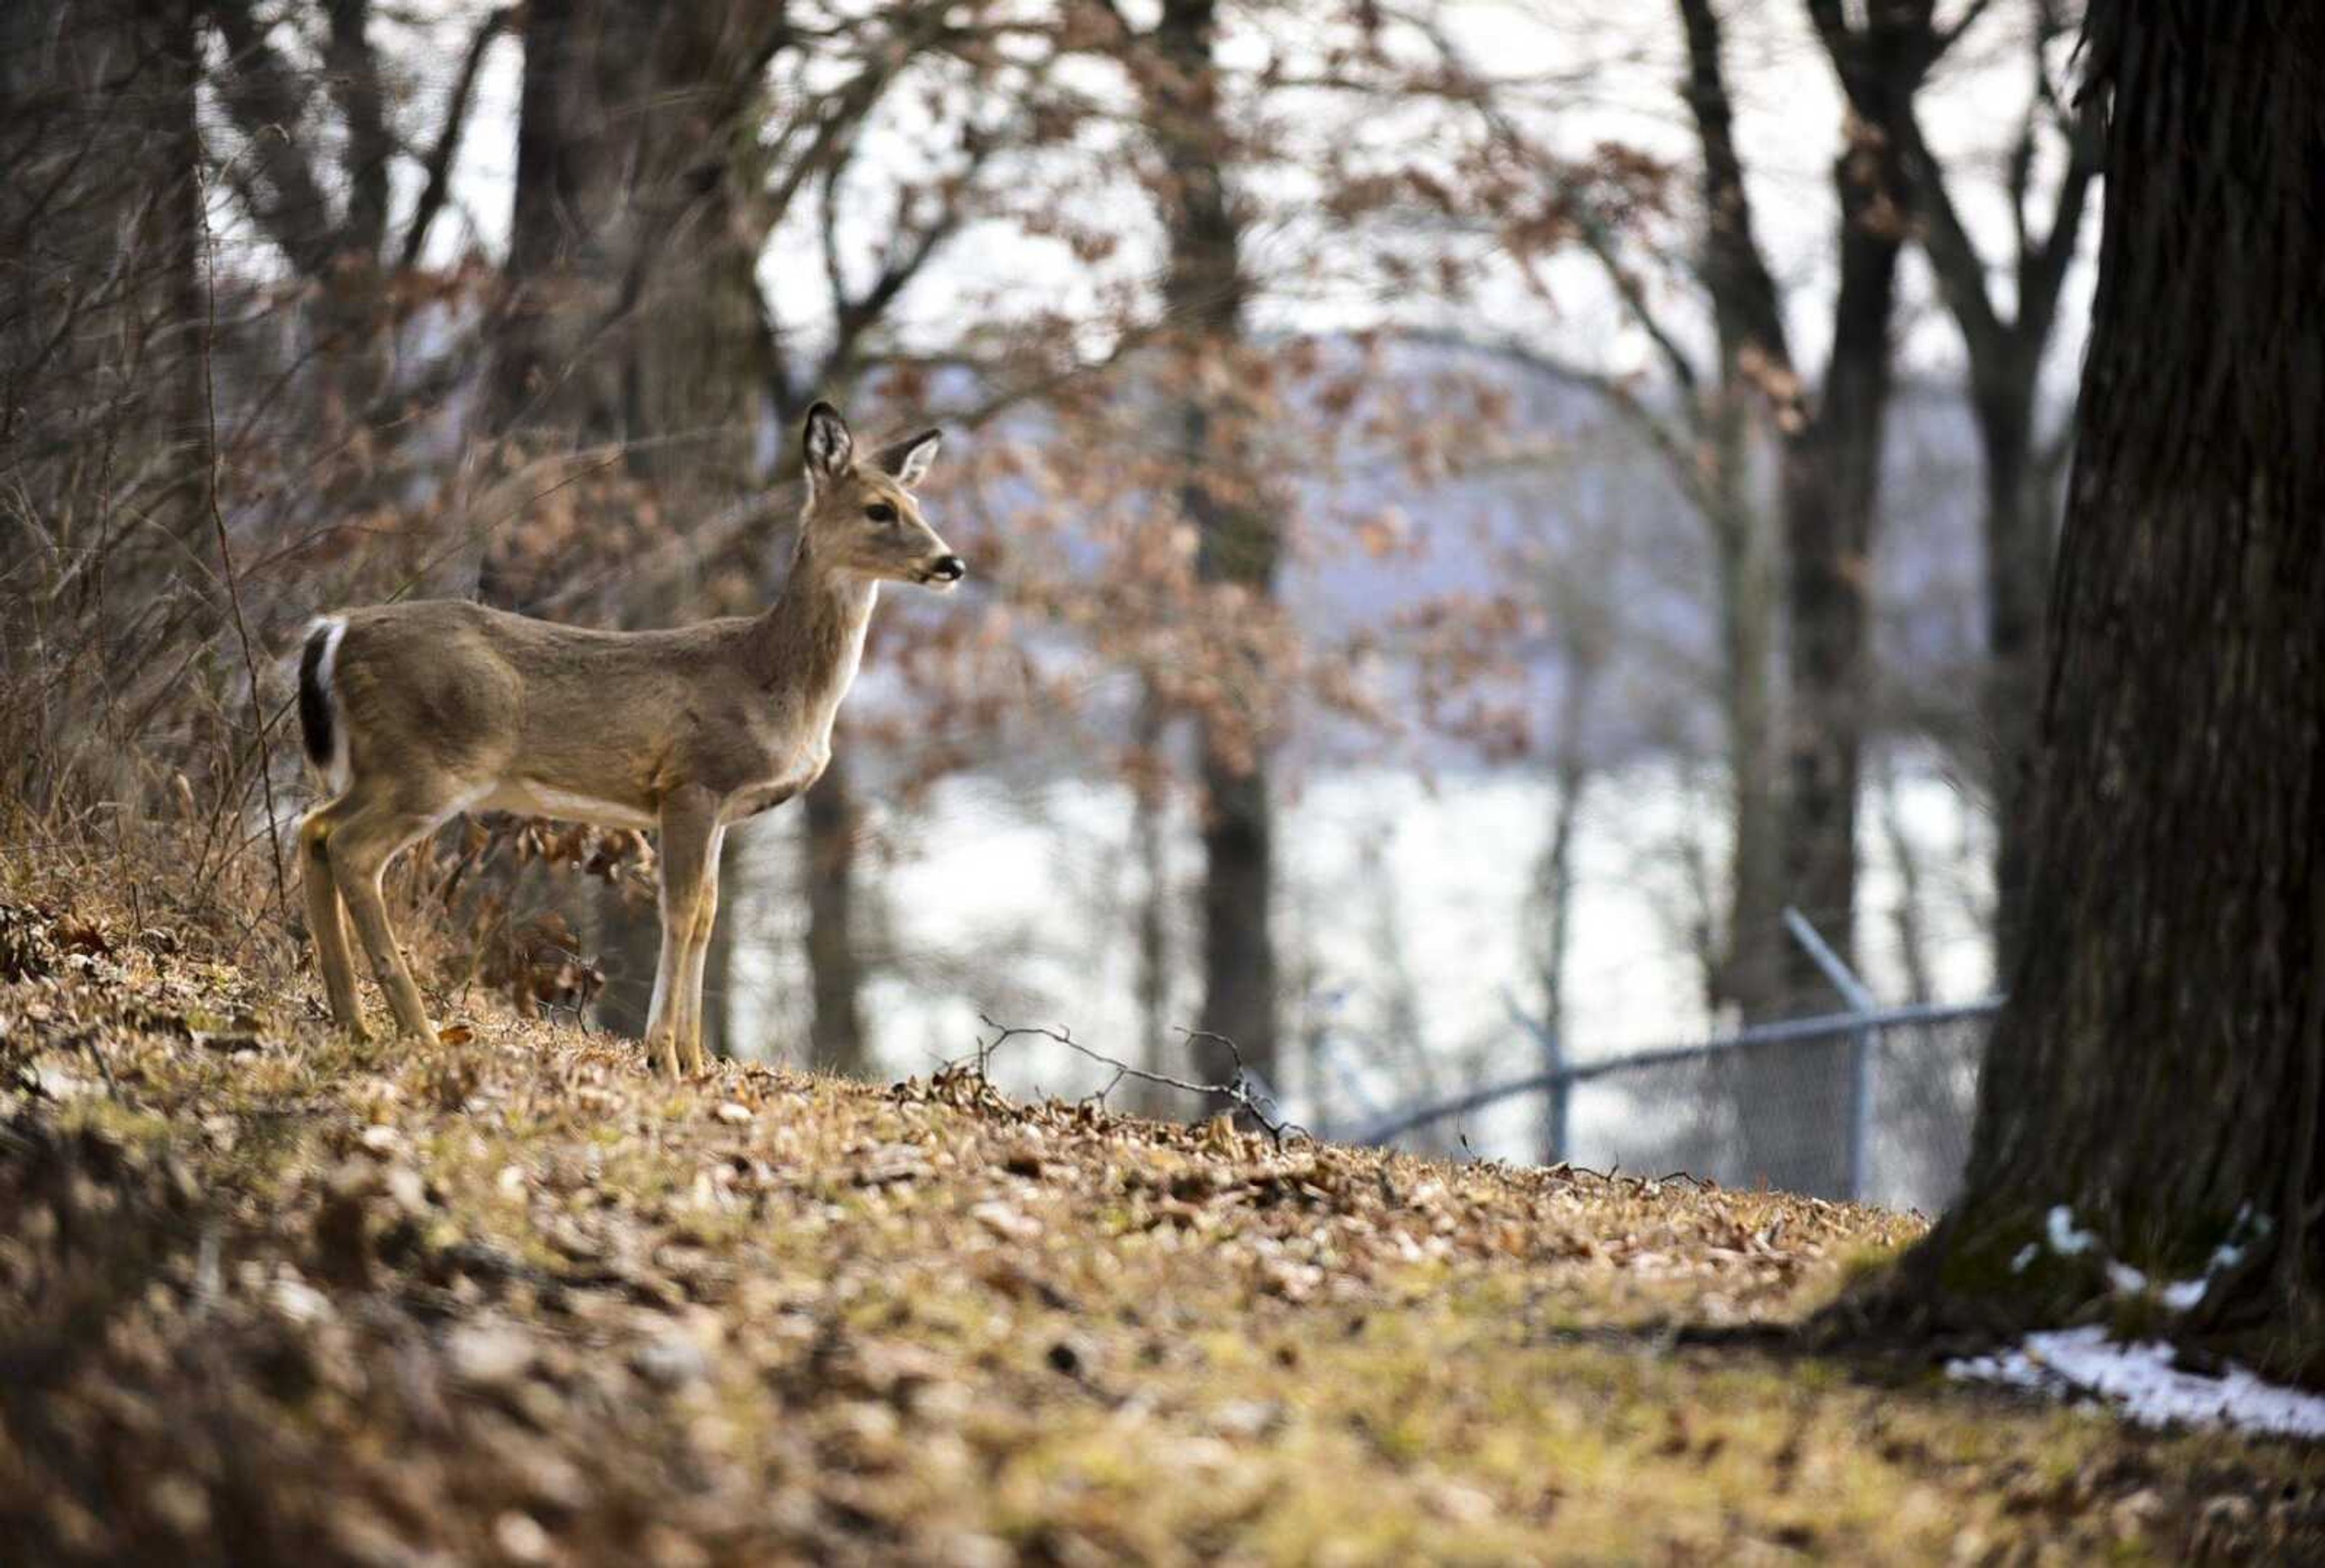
(1794,564)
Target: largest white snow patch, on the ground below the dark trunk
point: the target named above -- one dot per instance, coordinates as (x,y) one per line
(2142,1383)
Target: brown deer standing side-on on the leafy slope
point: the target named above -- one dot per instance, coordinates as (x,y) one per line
(422,711)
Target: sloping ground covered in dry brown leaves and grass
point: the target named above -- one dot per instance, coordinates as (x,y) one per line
(269,1297)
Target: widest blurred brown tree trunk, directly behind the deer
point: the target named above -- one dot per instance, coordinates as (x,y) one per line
(634,311)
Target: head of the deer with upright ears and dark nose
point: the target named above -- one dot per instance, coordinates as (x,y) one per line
(861,515)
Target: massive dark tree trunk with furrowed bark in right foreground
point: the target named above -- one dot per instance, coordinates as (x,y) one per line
(2159,1067)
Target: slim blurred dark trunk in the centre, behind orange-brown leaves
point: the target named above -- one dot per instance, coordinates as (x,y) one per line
(1206,292)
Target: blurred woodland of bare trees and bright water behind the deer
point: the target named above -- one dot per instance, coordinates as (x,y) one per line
(1473,508)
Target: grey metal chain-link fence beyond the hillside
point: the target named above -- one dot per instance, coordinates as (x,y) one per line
(1868,1106)
